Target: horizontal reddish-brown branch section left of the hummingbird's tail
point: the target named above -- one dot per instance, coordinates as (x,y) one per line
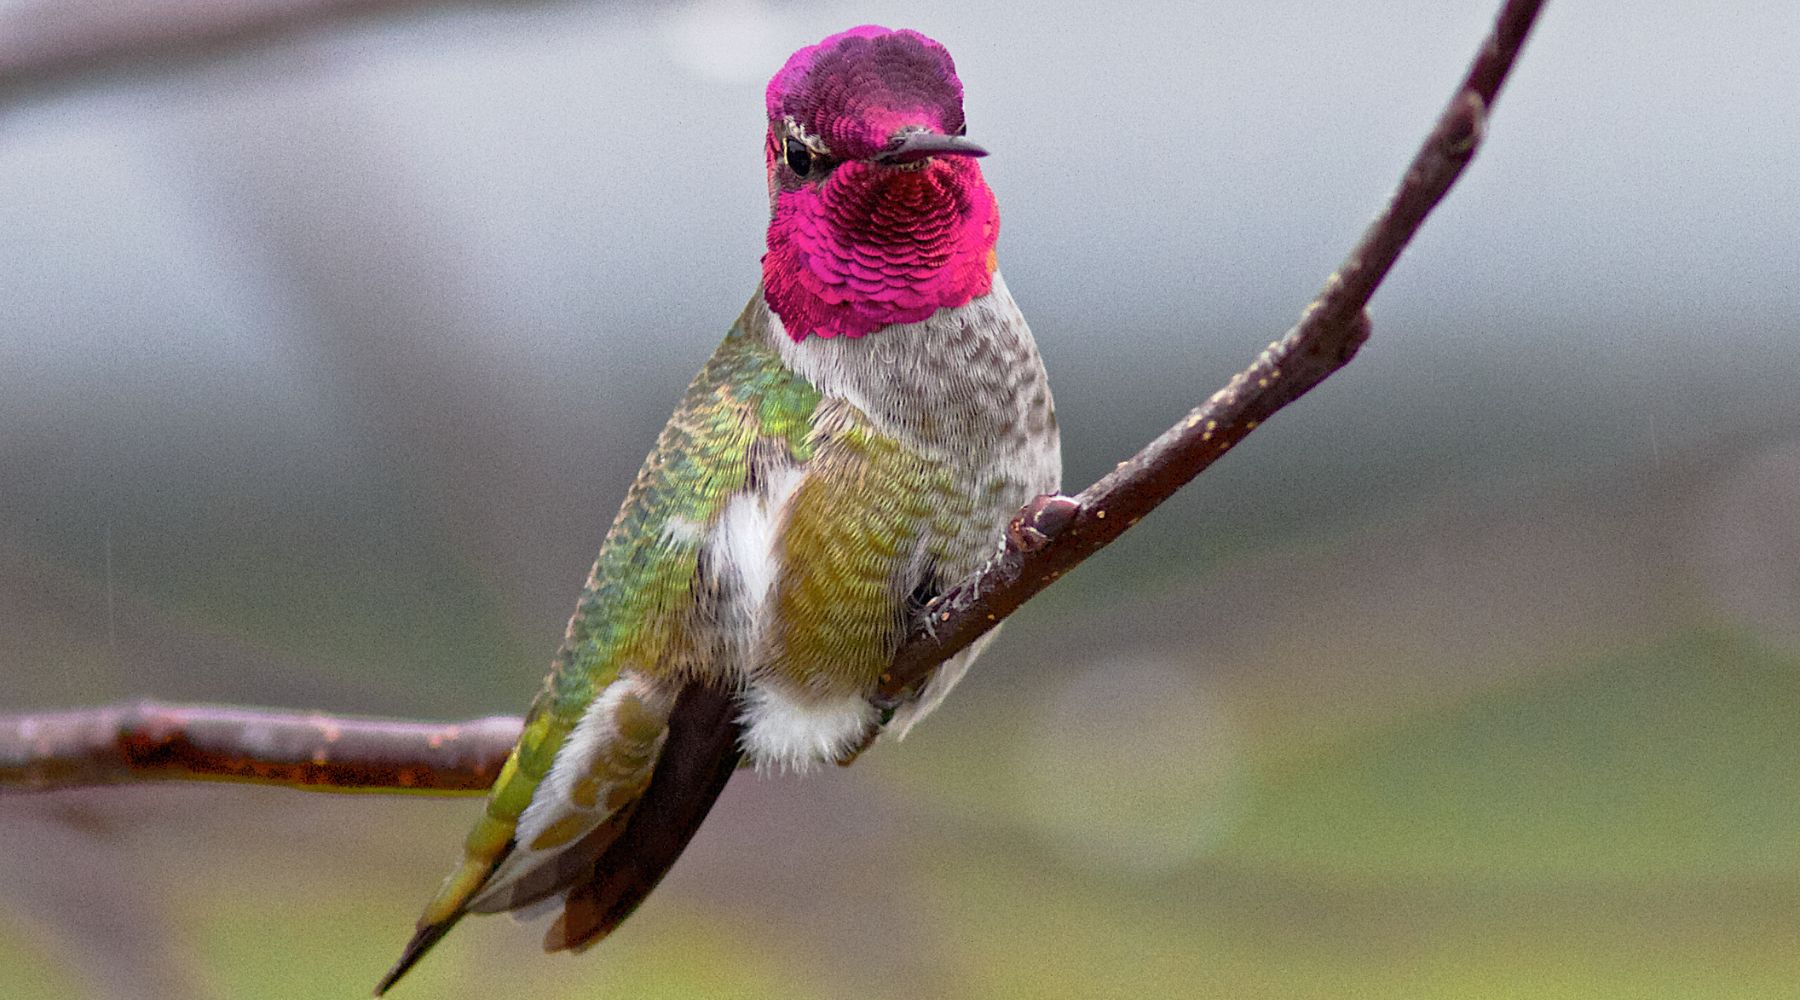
(154,742)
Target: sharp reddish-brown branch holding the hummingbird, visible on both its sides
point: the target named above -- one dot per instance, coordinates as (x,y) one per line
(1048,539)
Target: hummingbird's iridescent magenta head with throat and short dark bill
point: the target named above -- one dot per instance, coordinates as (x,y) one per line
(879,213)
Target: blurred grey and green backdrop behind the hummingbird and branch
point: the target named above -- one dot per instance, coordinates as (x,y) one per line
(327,357)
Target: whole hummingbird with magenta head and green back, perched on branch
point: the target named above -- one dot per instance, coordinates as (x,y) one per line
(854,447)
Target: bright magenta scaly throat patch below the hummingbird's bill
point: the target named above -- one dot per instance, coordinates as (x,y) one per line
(877,246)
